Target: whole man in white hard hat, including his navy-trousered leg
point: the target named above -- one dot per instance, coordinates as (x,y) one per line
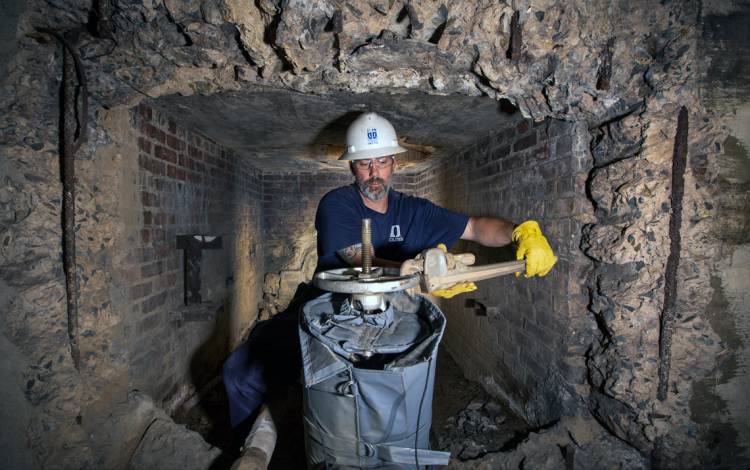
(402,226)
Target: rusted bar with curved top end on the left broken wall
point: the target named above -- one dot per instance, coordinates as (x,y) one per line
(73,134)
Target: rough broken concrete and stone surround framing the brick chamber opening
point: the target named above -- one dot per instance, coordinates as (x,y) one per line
(624,68)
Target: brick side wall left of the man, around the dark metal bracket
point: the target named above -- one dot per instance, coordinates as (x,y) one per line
(188,184)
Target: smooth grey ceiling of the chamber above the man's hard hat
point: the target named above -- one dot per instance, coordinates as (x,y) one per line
(290,131)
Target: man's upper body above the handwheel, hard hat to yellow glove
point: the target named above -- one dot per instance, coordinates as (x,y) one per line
(402,225)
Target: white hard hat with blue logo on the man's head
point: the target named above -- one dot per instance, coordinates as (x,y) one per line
(370,136)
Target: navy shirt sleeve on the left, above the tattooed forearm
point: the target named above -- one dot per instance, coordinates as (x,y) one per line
(337,224)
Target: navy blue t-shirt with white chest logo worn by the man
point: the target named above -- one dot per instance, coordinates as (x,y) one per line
(410,225)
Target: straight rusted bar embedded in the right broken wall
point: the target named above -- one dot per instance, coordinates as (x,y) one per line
(679,163)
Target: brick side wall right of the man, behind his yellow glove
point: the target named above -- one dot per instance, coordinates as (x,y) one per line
(522,337)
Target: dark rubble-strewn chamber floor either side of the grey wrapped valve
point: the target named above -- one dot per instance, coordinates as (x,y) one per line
(466,420)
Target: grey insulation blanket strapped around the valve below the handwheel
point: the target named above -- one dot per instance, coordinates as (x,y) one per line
(370,411)
